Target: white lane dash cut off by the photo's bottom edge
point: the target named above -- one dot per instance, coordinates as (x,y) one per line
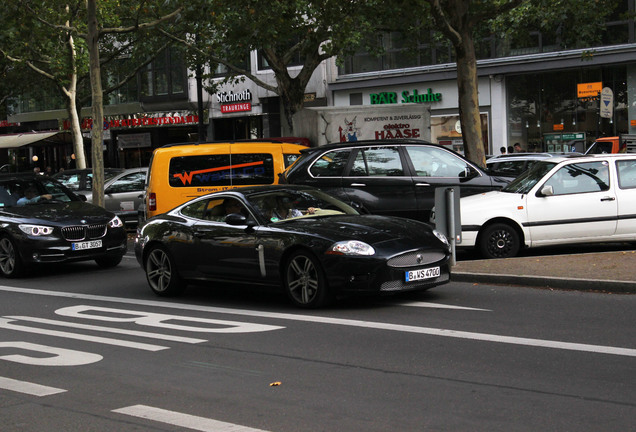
(183,420)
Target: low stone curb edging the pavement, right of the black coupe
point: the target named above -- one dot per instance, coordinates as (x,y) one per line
(609,286)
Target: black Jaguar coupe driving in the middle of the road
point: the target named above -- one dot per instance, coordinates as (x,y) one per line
(322,248)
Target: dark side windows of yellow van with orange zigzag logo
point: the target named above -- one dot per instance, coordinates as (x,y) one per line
(221,170)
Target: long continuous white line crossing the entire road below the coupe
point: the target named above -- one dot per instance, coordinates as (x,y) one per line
(600,349)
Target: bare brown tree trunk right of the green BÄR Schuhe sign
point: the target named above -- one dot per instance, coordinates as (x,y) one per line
(468,90)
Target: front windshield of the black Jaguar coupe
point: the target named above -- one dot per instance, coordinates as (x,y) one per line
(285,204)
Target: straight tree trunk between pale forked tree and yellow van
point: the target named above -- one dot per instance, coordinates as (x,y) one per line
(97,104)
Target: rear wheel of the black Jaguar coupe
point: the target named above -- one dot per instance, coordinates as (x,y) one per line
(162,274)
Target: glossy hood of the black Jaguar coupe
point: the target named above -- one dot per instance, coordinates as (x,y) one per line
(372,229)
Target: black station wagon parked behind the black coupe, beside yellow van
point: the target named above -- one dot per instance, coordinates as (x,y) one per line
(389,177)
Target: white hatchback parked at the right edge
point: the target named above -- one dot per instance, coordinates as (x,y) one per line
(561,200)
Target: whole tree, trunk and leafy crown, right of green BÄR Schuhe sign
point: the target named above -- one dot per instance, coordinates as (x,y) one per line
(572,23)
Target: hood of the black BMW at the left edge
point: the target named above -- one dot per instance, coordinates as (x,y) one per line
(62,213)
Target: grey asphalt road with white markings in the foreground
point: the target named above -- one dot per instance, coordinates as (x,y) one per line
(84,349)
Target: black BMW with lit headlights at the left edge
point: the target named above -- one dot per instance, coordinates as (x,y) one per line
(41,221)
